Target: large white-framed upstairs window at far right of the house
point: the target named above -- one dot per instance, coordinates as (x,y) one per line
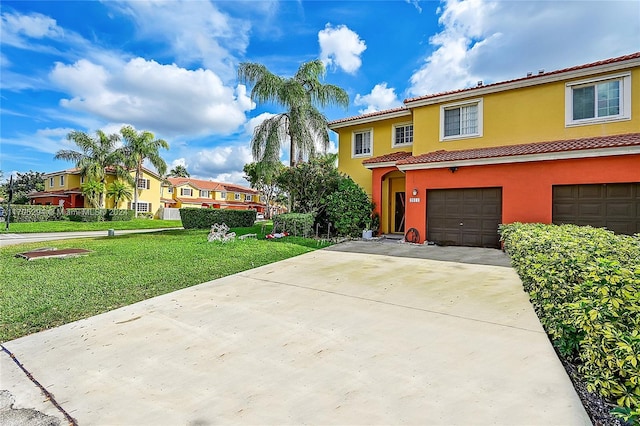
(598,100)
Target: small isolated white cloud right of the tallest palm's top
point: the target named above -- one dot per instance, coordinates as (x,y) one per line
(341,47)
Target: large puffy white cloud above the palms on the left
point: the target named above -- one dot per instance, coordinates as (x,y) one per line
(165,99)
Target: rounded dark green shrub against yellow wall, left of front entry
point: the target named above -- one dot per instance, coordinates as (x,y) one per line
(349,208)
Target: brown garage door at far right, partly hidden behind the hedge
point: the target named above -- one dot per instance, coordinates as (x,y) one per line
(615,206)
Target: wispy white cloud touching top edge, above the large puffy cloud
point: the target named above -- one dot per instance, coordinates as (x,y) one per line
(197,32)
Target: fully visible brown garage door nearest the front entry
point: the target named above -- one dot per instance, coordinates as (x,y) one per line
(464,217)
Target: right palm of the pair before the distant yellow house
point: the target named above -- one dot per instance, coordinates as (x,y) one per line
(138,147)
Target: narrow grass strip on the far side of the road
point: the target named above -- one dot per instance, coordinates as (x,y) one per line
(68,226)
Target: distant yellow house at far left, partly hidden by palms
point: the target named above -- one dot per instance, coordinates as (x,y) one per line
(64,188)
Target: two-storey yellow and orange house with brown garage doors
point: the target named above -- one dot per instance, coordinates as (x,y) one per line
(551,147)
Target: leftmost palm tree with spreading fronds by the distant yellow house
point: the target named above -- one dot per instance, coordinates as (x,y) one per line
(95,157)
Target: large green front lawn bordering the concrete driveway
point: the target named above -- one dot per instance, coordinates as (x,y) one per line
(40,294)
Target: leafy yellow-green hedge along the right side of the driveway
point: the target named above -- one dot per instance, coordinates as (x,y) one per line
(584,284)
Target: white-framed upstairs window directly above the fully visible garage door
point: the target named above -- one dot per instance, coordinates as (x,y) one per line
(461,120)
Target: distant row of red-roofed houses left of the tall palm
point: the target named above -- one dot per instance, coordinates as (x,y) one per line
(190,192)
